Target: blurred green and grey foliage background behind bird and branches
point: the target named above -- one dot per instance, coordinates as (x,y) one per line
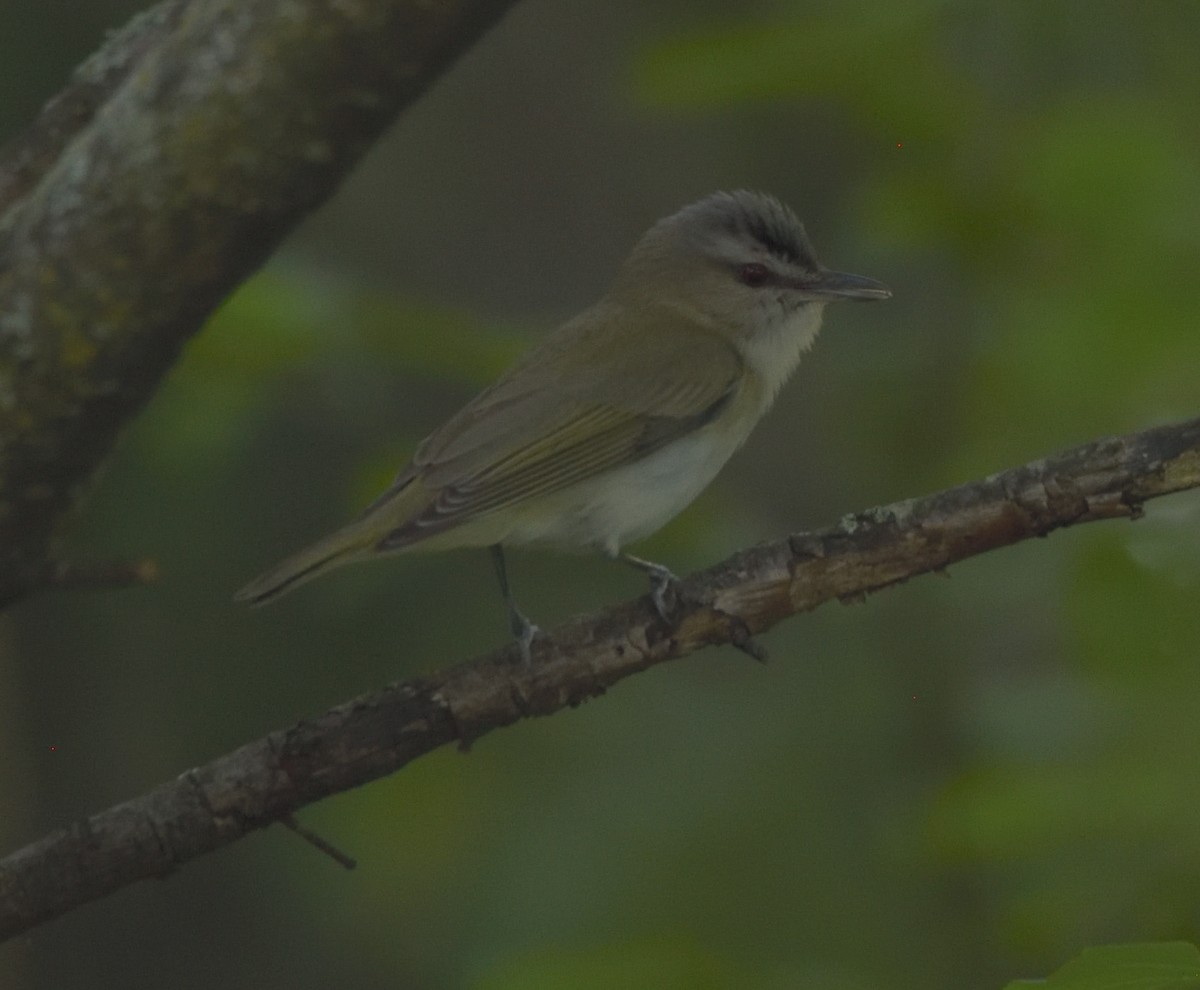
(958,783)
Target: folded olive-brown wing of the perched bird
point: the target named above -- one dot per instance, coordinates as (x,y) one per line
(554,422)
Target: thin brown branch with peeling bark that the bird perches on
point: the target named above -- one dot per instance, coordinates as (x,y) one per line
(380,733)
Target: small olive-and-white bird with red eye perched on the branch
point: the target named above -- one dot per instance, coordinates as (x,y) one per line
(619,419)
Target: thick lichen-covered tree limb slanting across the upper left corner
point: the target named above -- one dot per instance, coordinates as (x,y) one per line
(167,172)
